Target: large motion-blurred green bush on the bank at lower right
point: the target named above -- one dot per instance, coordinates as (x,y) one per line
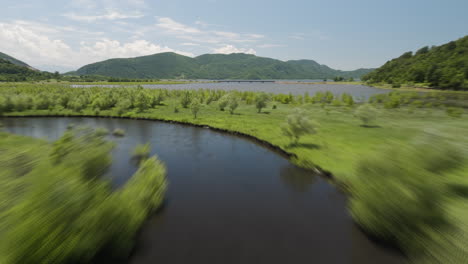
(398,192)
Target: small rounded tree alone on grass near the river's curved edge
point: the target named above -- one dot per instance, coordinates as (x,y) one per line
(297,124)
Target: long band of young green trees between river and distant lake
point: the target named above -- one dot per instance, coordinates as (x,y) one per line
(122,100)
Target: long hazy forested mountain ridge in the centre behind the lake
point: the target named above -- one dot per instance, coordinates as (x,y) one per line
(212,66)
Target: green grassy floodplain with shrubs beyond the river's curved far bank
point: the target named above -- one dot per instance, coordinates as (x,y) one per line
(341,147)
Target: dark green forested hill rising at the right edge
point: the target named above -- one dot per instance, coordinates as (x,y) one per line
(444,66)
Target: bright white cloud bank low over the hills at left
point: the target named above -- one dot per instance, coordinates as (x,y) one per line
(41,48)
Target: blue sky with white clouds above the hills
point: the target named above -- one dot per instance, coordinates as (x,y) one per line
(343,34)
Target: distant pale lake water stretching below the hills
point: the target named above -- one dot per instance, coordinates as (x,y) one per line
(358,91)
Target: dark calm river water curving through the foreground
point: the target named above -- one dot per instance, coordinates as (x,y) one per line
(229,201)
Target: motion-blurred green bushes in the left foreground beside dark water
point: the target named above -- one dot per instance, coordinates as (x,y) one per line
(56,208)
